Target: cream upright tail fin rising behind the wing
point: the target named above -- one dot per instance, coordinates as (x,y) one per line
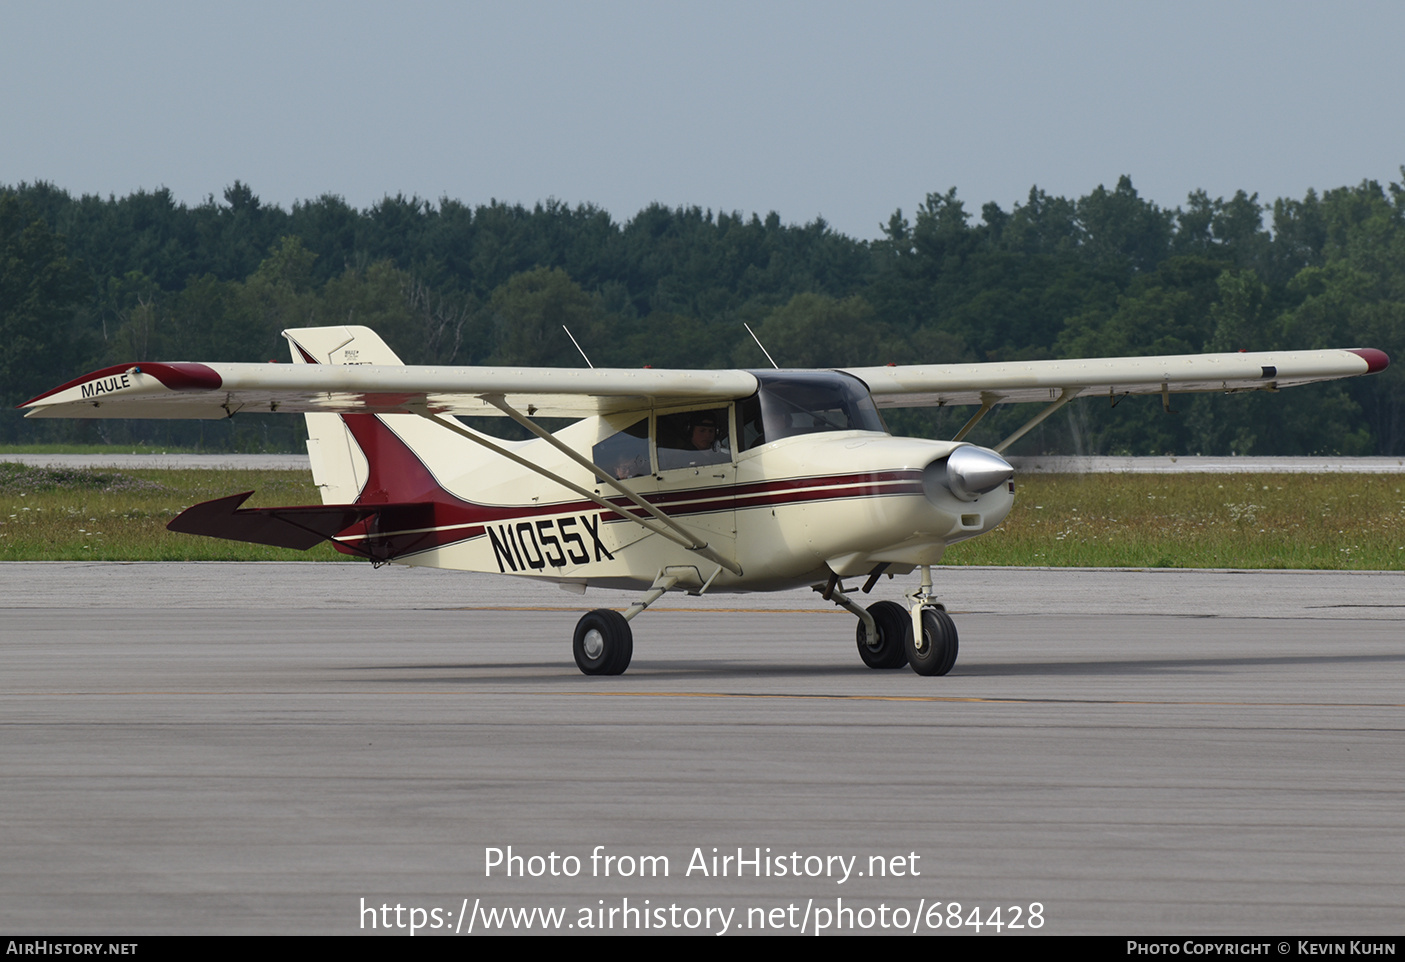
(339,467)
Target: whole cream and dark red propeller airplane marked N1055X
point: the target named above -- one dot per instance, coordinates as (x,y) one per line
(679,481)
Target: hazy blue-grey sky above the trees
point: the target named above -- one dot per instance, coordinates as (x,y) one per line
(835,110)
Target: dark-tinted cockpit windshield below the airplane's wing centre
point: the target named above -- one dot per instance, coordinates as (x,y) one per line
(806,404)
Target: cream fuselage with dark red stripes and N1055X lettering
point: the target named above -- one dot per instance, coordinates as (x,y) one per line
(786,513)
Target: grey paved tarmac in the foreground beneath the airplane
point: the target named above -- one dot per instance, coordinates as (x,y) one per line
(275,748)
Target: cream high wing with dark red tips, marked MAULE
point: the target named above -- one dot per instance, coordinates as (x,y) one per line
(346,387)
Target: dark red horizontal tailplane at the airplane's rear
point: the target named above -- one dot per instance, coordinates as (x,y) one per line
(289,527)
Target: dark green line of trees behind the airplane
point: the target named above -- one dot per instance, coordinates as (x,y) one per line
(91,282)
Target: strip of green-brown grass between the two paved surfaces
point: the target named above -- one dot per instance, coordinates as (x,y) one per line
(1274,522)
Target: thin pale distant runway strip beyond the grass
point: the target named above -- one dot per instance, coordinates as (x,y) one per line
(1024,466)
